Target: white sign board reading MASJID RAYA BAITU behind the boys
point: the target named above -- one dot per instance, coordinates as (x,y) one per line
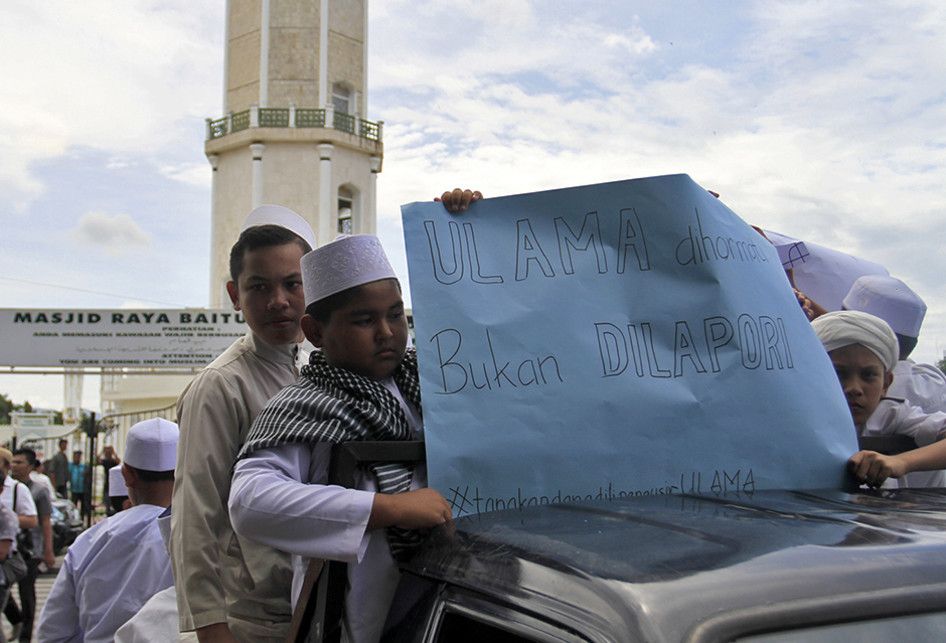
(121,338)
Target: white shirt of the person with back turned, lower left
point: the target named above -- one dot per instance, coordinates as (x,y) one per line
(110,571)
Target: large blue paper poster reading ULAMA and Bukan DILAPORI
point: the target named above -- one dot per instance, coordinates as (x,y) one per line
(621,339)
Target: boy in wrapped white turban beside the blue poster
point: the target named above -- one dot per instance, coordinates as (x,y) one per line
(864,350)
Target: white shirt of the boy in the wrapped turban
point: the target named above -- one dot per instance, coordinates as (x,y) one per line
(895,417)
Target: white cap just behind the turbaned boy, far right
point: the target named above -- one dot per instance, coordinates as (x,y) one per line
(891,300)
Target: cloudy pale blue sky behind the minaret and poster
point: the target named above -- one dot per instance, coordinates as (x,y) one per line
(825,121)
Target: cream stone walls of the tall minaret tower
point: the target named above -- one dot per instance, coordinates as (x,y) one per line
(291,162)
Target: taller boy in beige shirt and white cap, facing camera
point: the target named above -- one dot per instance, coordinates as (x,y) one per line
(211,563)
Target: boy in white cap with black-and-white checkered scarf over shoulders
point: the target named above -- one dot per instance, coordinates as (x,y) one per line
(361,385)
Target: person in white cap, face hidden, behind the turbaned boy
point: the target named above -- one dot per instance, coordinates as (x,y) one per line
(922,385)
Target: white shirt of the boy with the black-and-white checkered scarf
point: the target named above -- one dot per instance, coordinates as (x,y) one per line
(278,497)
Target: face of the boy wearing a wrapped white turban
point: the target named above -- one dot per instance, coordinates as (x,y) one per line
(863,379)
